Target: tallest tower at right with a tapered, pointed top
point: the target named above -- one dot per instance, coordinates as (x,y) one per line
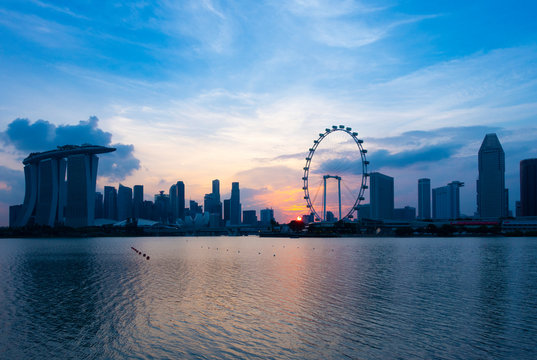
(492,196)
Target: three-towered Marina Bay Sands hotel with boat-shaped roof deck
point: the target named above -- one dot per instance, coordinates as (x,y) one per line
(51,199)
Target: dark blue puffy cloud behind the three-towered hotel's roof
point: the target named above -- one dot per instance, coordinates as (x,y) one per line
(43,135)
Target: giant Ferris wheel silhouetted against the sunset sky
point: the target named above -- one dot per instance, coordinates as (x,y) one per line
(337,155)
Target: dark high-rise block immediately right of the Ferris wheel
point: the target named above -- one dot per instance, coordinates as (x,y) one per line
(381,196)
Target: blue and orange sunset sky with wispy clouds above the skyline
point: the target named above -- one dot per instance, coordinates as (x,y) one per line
(238,90)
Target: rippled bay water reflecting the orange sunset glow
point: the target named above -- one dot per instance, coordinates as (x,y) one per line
(228,297)
